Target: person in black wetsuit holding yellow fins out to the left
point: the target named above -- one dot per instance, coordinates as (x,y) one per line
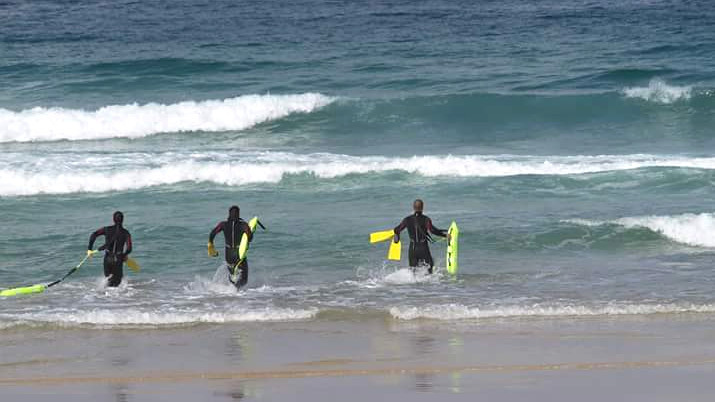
(419,227)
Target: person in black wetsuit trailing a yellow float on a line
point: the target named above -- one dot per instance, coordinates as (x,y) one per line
(117,246)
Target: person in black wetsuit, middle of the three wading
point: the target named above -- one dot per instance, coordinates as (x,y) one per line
(233,229)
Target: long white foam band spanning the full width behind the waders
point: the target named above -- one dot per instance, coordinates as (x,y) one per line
(135,171)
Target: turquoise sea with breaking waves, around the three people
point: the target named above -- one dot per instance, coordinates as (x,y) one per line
(571,142)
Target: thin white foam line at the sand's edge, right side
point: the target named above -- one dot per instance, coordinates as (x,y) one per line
(461,312)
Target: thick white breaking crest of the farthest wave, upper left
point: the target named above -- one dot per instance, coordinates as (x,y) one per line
(133,121)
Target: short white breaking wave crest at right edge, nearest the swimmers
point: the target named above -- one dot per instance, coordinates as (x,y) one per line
(692,229)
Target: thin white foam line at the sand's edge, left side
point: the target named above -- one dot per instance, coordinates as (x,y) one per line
(134,316)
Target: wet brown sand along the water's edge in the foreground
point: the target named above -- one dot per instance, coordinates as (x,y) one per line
(653,358)
